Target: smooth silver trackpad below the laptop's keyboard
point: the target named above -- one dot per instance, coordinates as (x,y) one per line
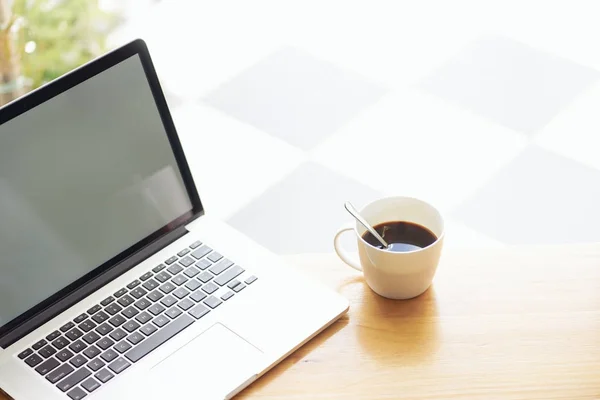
(210,366)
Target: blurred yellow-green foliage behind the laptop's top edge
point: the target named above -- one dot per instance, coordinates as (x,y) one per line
(60,35)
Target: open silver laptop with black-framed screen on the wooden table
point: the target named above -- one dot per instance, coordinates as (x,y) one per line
(114,284)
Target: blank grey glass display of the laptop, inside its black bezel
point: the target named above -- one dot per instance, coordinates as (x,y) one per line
(83,177)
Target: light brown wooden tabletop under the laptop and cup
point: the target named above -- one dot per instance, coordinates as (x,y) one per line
(514,323)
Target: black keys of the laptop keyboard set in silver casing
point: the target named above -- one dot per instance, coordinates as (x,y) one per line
(94,347)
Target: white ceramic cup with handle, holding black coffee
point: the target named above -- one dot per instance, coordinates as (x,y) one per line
(396,275)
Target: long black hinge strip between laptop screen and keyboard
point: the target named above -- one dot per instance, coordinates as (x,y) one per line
(88,288)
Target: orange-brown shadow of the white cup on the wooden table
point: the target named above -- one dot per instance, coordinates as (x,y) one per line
(398,331)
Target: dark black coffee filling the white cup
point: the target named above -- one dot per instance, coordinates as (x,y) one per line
(401,236)
